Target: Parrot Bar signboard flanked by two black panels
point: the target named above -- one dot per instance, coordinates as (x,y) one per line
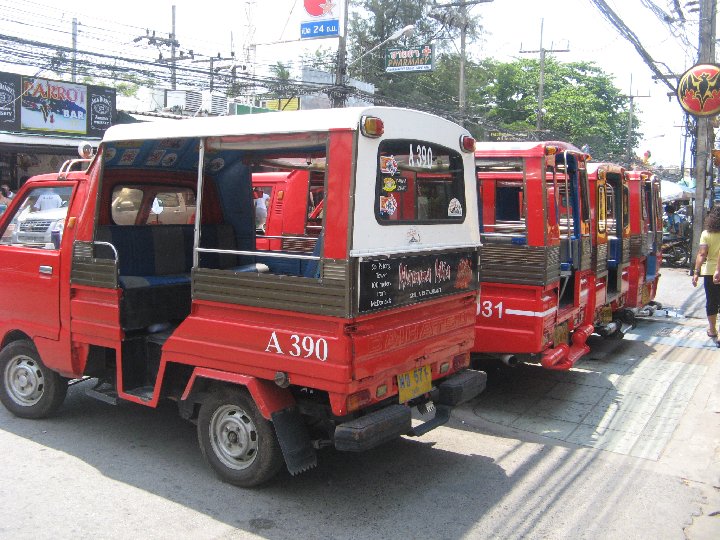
(39,105)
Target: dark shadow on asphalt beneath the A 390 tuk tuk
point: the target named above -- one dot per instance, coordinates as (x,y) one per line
(156,451)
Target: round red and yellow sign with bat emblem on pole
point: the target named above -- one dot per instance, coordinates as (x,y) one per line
(699,90)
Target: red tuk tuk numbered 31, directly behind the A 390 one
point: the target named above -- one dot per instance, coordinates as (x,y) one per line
(535,260)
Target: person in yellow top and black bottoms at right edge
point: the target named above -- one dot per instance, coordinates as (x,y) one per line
(706,265)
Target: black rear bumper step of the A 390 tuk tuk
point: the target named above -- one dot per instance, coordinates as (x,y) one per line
(391,422)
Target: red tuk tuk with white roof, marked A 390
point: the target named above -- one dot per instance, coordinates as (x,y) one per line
(274,353)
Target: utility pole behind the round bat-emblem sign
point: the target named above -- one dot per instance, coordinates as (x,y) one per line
(704,142)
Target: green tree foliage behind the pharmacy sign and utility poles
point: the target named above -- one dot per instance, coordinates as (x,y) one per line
(583,105)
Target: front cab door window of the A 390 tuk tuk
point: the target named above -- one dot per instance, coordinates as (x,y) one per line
(39,221)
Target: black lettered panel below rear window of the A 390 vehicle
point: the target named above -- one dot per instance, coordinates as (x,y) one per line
(404,280)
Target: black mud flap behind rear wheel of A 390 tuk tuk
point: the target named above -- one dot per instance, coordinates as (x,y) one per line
(294,440)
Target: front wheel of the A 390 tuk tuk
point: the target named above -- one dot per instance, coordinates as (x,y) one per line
(29,389)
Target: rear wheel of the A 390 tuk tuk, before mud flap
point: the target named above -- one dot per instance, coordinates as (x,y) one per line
(236,441)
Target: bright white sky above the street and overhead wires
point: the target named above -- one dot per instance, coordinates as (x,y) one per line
(215,26)
